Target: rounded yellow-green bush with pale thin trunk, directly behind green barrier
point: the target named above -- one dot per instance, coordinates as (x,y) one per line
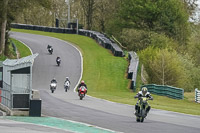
(166,69)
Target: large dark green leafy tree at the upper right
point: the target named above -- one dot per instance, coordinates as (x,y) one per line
(169,17)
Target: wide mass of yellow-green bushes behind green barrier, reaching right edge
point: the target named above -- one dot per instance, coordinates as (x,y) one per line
(167,67)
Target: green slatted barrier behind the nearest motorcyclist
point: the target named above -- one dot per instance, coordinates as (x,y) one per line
(164,90)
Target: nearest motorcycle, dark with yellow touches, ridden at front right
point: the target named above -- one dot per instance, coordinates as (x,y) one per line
(141,112)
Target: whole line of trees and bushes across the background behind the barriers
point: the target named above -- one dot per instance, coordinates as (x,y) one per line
(158,30)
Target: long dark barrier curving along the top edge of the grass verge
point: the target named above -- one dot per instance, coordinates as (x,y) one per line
(99,37)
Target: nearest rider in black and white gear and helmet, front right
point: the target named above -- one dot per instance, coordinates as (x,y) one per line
(143,93)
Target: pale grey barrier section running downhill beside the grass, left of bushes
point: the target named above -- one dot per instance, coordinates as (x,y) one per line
(132,69)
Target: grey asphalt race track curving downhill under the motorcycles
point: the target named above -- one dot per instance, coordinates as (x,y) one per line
(98,112)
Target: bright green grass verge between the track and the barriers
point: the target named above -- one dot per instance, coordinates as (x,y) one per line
(105,76)
